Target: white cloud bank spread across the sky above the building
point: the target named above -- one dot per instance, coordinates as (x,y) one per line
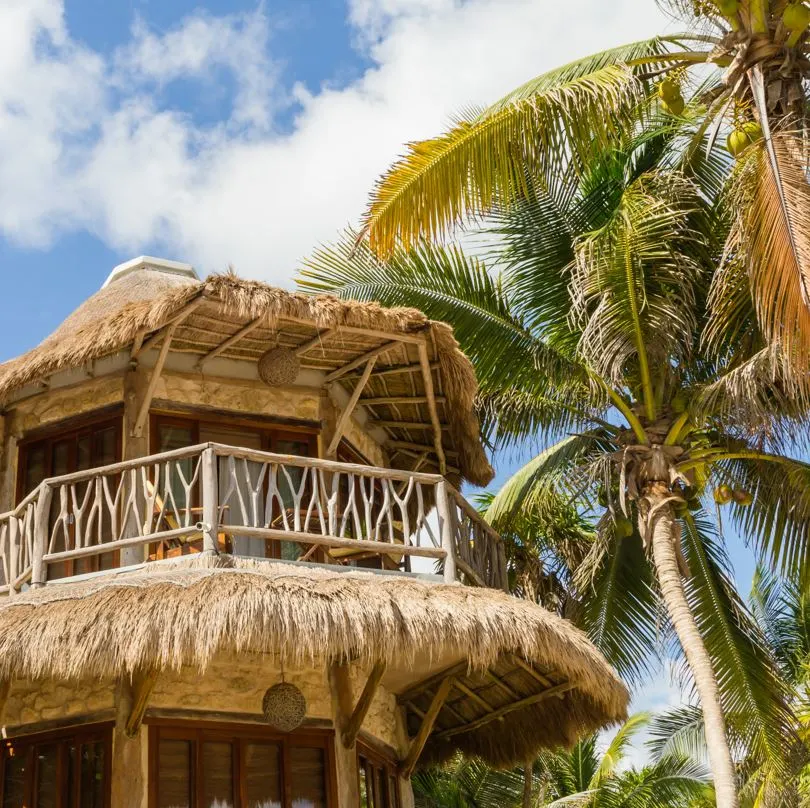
(89,142)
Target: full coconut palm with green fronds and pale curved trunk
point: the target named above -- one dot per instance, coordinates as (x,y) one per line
(598,331)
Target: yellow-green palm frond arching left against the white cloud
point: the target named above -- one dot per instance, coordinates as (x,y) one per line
(477,163)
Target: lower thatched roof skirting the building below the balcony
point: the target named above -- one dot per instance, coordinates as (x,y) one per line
(167,617)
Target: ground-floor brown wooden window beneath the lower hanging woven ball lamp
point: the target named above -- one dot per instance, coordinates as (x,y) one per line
(220,767)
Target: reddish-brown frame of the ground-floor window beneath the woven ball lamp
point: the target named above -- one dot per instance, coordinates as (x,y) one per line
(237,734)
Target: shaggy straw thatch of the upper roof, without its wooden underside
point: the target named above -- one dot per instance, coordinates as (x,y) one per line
(109,321)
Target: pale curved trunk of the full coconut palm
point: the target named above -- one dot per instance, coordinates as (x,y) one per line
(665,532)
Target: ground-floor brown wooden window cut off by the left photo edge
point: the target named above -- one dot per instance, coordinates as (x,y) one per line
(57,770)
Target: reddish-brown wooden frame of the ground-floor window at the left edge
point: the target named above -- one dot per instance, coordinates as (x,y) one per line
(86,733)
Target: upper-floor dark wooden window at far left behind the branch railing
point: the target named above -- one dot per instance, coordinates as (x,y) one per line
(65,450)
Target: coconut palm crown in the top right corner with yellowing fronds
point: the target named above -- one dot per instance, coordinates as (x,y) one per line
(740,64)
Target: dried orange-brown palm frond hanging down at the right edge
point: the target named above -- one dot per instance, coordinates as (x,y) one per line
(773,229)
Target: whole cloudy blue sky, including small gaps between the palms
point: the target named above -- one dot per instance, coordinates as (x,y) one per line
(239,132)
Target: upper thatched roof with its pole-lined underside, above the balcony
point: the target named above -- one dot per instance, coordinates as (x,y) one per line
(140,303)
